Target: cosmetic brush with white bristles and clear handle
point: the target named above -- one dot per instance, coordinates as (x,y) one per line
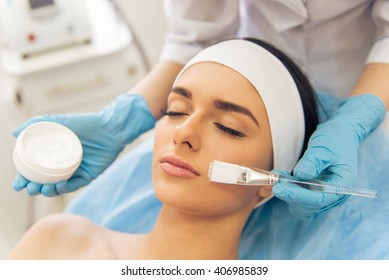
(227,173)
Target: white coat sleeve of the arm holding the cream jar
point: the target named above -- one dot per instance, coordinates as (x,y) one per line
(195,24)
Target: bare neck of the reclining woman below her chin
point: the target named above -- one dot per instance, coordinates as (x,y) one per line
(177,235)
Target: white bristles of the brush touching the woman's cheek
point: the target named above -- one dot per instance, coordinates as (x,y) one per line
(222,172)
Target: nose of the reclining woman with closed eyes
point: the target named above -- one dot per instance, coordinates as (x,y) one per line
(188,134)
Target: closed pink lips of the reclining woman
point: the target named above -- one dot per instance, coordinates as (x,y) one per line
(176,166)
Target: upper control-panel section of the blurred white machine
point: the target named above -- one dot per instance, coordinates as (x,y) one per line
(34,27)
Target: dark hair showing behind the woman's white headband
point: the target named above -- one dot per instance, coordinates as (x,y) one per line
(307,93)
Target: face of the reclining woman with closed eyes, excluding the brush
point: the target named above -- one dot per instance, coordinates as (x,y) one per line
(213,113)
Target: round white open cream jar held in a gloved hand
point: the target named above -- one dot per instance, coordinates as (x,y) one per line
(47,153)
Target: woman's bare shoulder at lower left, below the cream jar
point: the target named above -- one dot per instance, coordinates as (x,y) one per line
(61,236)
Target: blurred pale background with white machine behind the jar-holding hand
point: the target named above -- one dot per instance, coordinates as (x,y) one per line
(65,56)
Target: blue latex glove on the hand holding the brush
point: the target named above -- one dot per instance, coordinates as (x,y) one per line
(332,155)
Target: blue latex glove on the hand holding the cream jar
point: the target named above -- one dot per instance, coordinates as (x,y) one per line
(103,136)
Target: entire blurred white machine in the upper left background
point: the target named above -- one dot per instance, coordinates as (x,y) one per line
(66,55)
